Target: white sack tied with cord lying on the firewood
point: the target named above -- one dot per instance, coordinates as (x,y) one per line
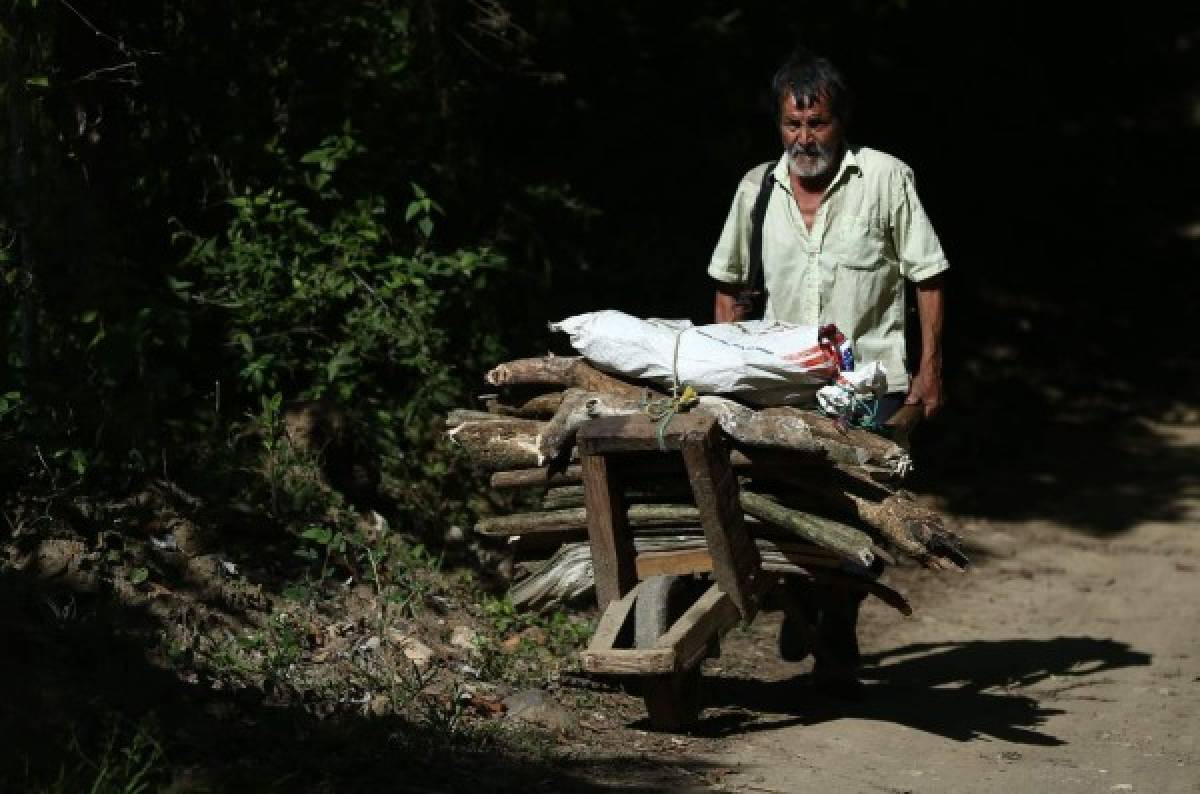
(764,363)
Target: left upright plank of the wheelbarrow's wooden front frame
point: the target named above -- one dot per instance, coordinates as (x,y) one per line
(613,544)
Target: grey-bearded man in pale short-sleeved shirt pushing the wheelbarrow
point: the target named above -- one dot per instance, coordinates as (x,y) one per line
(839,231)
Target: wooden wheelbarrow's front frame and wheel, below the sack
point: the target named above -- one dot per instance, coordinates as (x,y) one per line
(658,628)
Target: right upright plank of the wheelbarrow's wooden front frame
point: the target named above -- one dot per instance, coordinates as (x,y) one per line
(736,562)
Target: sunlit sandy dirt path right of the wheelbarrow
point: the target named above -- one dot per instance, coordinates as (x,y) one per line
(1067,660)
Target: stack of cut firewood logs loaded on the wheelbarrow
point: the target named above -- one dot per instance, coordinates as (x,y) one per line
(820,498)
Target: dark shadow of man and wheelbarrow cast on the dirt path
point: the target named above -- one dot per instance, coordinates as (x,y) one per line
(963,691)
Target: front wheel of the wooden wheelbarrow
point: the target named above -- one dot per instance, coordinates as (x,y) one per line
(673,701)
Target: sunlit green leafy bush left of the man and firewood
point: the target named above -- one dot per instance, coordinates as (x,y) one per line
(327,297)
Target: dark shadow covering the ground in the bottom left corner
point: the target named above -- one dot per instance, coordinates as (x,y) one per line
(77,673)
